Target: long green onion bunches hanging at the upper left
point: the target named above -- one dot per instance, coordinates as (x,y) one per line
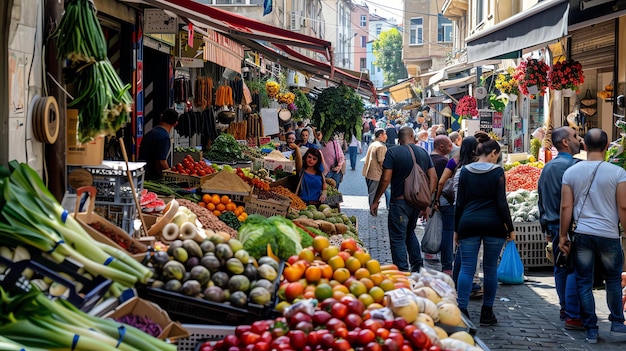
(103,101)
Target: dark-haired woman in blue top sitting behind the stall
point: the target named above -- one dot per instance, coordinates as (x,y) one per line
(312,185)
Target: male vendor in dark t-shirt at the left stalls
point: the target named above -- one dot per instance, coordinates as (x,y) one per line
(155,145)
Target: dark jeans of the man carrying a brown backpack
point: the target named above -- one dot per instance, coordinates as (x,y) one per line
(401,224)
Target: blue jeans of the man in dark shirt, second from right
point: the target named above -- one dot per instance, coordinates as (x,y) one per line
(565,282)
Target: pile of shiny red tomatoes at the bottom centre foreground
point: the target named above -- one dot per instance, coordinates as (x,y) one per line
(335,326)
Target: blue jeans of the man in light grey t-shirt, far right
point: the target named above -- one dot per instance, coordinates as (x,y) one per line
(609,251)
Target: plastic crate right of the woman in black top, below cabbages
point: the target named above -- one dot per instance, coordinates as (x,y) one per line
(531,244)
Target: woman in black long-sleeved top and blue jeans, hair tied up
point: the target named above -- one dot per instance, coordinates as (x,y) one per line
(481,215)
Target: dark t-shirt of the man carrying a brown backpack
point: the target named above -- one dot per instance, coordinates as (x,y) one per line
(400,161)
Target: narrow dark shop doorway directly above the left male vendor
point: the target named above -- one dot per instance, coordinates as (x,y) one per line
(156,77)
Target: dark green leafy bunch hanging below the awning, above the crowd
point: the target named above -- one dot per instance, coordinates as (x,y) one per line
(339,110)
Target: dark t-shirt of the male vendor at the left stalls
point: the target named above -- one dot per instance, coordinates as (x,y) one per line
(155,146)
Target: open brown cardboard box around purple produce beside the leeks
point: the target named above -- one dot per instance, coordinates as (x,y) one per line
(137,306)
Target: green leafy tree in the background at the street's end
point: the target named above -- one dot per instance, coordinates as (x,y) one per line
(388,52)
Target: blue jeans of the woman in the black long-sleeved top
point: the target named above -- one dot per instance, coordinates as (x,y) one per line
(469,257)
